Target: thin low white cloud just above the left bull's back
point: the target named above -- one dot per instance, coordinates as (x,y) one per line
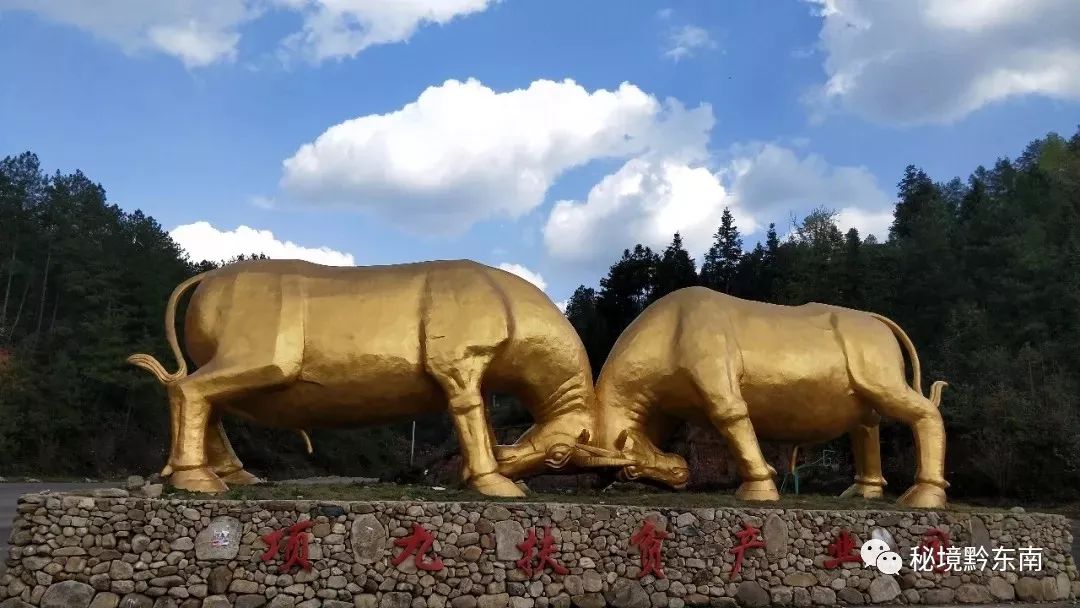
(202,241)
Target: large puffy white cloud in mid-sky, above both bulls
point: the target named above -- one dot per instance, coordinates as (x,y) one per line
(463,153)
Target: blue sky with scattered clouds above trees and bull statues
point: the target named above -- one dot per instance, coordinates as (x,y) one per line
(543,136)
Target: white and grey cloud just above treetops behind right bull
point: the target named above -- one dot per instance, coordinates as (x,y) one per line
(650,199)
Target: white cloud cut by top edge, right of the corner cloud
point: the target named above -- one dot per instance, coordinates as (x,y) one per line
(343,29)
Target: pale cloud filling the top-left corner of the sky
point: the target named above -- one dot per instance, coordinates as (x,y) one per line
(198,33)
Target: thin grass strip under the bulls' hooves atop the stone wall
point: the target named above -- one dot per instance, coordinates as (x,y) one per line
(630,495)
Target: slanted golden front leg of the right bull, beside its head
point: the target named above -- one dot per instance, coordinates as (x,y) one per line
(728,413)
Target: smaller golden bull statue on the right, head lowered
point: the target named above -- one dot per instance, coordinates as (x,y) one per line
(804,375)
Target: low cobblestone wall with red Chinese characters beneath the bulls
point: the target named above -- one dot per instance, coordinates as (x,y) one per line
(113,550)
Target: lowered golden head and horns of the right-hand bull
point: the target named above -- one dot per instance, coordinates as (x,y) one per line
(638,458)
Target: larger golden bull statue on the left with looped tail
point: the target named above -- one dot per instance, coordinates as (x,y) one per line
(300,346)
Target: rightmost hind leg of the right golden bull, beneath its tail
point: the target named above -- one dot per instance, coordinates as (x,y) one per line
(926,422)
